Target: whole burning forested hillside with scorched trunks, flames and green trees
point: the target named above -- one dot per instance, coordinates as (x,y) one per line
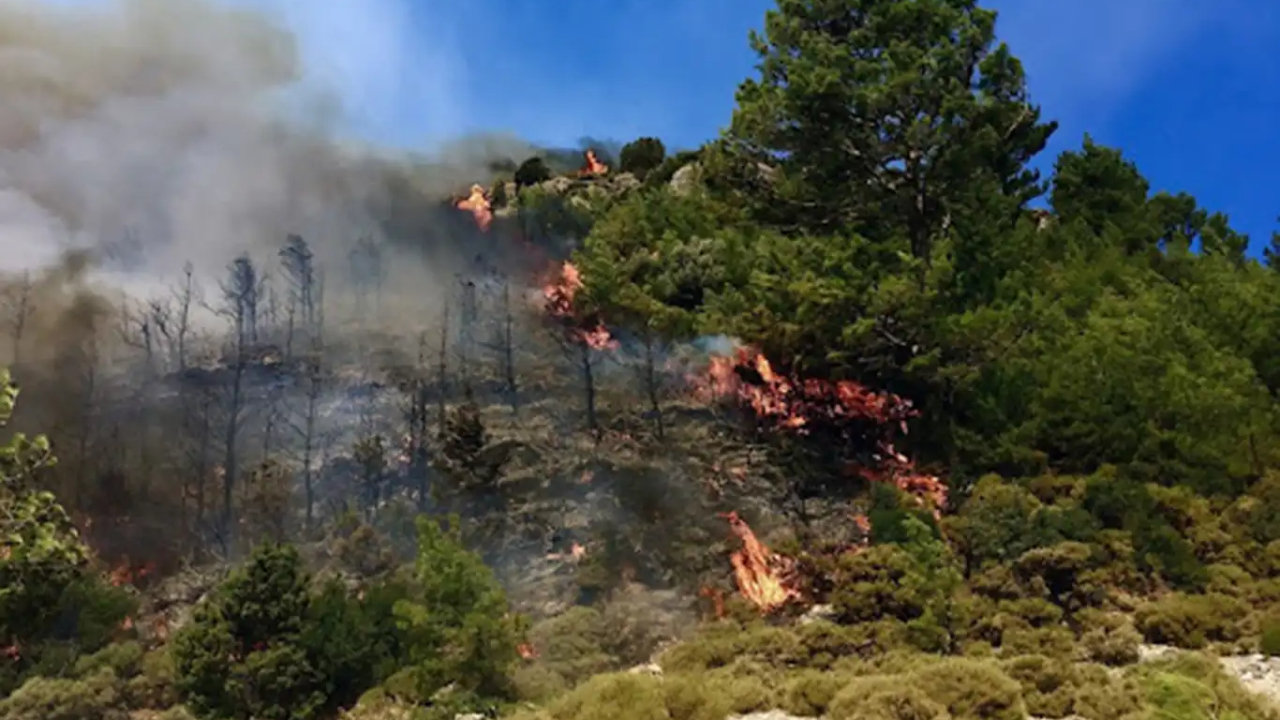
(849,413)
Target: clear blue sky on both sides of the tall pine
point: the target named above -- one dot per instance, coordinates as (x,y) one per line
(1190,89)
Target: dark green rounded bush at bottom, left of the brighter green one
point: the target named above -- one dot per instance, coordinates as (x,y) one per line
(268,645)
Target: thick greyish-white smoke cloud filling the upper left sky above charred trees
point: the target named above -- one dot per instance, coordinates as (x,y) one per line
(158,133)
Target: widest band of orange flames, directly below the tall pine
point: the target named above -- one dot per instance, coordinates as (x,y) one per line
(751,380)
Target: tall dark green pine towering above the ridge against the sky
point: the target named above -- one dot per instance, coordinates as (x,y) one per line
(888,119)
